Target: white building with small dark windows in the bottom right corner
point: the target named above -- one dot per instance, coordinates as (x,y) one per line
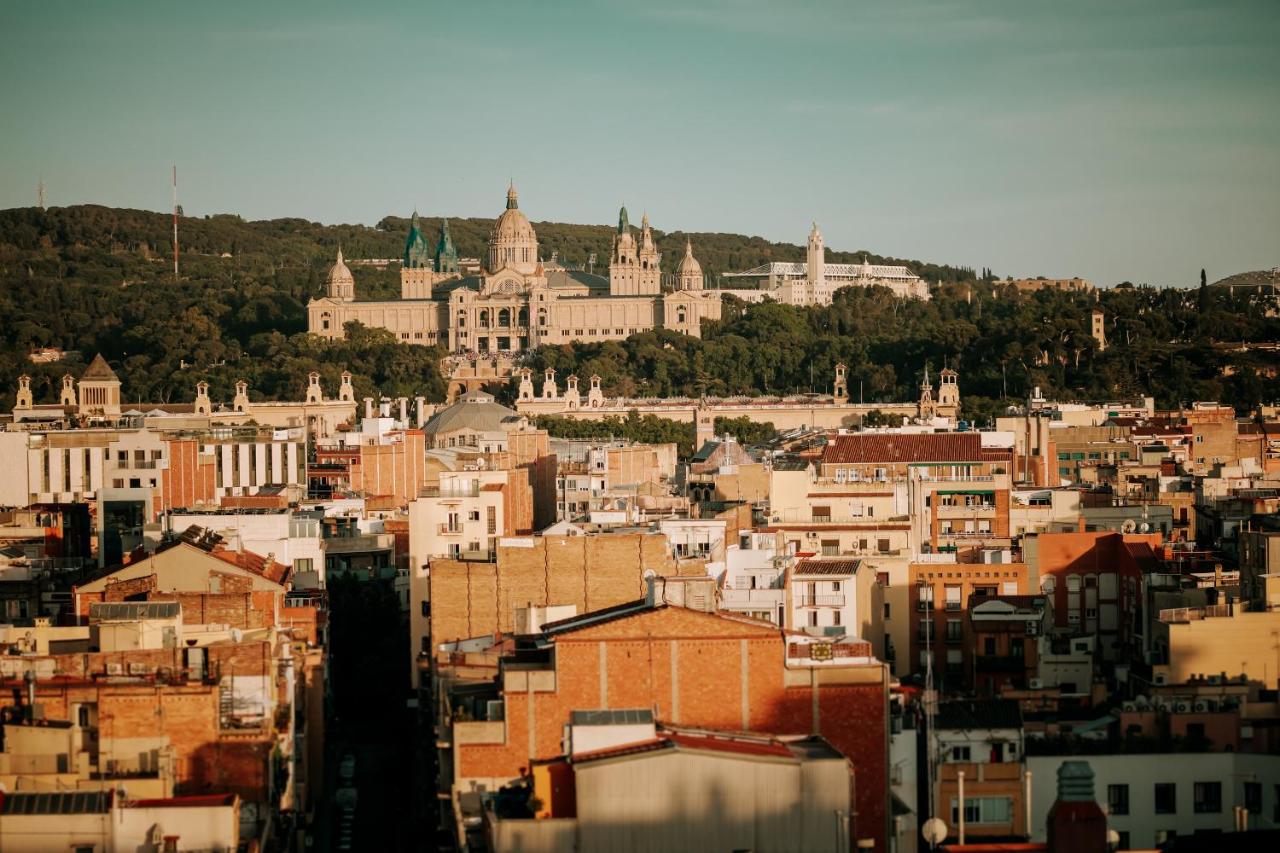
(1150,796)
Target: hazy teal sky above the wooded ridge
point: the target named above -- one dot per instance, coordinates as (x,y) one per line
(1107,139)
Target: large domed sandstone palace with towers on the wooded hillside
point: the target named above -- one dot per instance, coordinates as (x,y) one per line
(520,302)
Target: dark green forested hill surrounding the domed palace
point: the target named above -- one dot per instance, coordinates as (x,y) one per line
(98,280)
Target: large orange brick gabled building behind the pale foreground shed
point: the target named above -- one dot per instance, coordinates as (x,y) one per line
(693,669)
